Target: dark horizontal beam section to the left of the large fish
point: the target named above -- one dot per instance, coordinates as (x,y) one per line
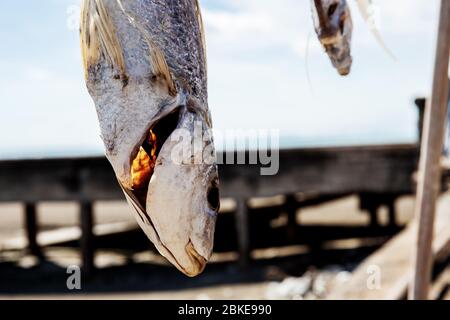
(82,179)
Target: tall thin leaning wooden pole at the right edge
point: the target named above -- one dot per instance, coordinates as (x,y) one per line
(429,177)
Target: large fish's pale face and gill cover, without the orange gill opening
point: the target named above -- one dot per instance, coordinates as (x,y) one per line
(183,193)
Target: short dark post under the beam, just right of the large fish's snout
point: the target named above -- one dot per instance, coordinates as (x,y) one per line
(243,232)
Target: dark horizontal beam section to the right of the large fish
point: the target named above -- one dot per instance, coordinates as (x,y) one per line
(382,169)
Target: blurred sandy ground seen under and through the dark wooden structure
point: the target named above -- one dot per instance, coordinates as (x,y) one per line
(289,273)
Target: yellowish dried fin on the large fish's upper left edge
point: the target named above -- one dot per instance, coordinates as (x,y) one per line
(98,36)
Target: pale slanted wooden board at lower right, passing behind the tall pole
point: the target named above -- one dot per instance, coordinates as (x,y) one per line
(394,261)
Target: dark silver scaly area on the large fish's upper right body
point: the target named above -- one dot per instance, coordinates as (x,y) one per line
(174,28)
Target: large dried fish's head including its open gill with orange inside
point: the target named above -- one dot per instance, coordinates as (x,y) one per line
(175,188)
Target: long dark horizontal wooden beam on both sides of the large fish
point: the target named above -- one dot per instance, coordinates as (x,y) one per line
(323,171)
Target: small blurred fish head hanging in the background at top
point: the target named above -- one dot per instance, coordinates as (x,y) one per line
(334,27)
